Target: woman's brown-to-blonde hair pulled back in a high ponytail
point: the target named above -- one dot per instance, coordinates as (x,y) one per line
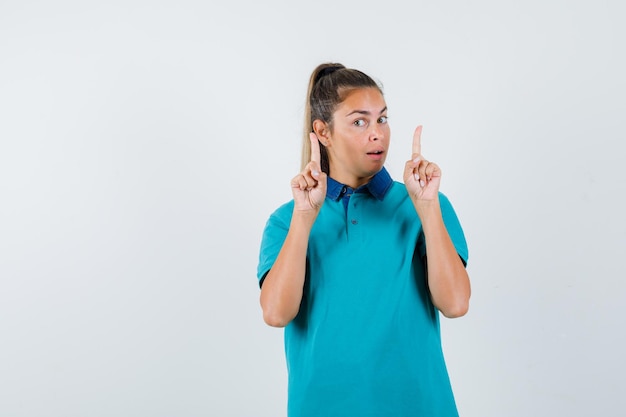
(328,86)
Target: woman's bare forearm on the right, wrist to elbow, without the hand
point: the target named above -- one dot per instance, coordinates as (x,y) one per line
(448,280)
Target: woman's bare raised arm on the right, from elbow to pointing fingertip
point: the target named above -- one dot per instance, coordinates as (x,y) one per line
(448,280)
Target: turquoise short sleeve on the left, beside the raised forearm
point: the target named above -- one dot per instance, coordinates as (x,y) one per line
(274,236)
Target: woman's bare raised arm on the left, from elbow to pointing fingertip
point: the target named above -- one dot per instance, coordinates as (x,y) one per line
(282,289)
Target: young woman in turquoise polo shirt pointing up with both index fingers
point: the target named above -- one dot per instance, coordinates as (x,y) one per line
(358,266)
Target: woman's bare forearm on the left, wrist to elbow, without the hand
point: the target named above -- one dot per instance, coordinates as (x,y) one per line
(282,289)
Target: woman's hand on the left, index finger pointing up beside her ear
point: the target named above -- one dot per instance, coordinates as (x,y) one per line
(309,186)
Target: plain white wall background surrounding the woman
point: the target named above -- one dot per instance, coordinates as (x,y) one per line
(144,144)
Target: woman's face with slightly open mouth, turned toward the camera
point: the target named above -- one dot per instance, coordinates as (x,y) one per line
(358,142)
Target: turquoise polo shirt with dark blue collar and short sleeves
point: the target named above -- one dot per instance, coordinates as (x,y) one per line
(366,340)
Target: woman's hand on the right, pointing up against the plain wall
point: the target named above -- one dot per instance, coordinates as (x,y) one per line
(421,177)
